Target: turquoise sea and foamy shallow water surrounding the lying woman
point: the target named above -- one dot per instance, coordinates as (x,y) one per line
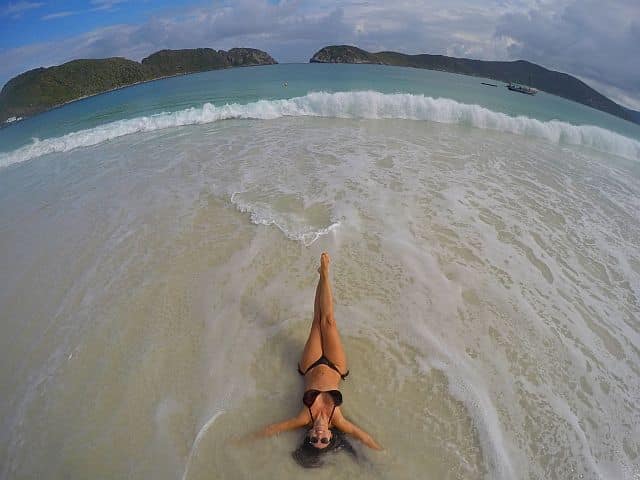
(159,252)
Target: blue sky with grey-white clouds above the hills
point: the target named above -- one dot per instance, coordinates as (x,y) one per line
(597,41)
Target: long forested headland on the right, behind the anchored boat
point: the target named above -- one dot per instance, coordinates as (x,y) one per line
(556,83)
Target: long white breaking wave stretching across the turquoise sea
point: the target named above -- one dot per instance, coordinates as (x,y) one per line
(363,104)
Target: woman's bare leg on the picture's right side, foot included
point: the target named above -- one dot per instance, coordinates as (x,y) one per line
(331,343)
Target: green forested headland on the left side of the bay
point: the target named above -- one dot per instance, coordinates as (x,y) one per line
(45,88)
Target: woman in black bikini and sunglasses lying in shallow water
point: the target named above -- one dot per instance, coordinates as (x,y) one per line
(322,363)
